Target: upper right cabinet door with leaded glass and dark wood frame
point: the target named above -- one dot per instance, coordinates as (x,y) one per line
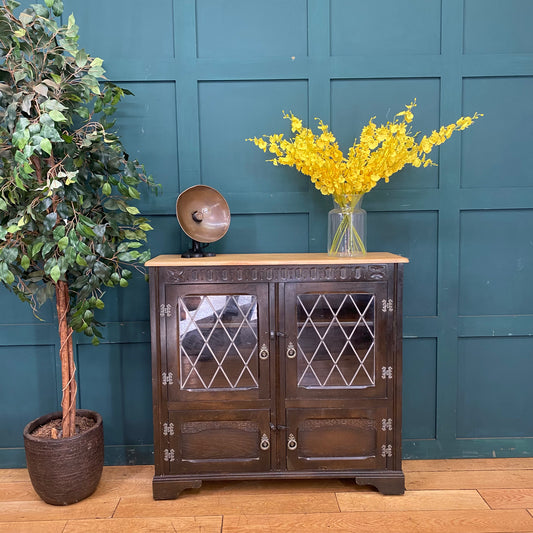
(336,340)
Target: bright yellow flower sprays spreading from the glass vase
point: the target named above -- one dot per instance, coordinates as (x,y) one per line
(381,151)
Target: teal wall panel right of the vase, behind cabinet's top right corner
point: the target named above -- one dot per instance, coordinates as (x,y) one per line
(412,234)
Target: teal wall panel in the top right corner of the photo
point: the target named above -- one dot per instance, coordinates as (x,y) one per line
(498,27)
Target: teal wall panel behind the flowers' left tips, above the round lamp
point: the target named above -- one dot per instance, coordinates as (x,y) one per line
(233,111)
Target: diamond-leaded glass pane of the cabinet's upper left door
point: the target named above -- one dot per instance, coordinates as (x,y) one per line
(218,342)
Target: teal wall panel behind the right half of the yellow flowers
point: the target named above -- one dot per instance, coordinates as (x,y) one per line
(354,102)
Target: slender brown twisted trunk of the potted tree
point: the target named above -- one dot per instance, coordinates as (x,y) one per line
(66,355)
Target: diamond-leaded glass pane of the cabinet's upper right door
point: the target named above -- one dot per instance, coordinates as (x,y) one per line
(336,347)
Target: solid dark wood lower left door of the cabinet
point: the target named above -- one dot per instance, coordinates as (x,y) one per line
(227,441)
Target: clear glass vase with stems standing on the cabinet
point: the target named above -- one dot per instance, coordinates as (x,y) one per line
(347,226)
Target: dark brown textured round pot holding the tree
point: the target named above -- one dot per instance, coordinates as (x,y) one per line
(65,471)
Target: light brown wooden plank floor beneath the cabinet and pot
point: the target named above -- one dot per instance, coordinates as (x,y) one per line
(462,496)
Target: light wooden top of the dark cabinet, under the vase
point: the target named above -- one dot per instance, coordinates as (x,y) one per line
(275,259)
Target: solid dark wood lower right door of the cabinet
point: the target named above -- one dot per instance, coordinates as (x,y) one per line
(338,439)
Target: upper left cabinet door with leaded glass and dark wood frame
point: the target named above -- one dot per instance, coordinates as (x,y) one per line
(217,342)
